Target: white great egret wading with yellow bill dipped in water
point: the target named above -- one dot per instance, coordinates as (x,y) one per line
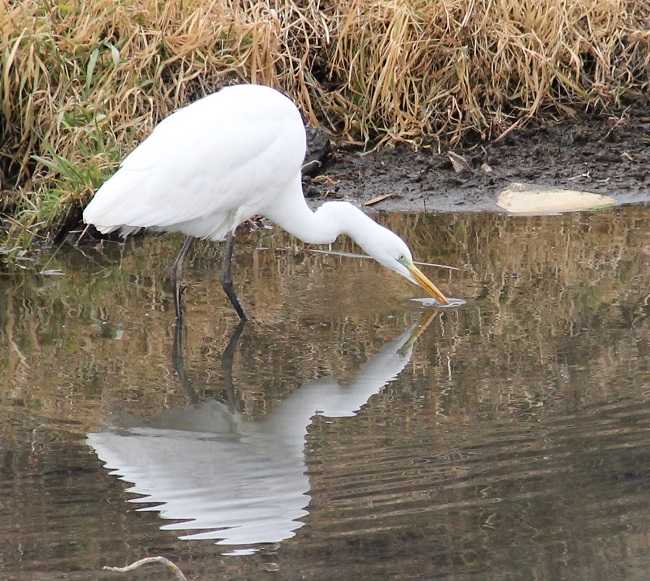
(212,165)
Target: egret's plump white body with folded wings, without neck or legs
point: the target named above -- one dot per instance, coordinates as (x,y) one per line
(207,167)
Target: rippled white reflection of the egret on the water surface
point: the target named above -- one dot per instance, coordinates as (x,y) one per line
(236,480)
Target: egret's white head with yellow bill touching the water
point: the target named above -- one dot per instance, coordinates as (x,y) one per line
(392,252)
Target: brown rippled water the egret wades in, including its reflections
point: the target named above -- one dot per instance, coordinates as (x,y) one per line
(348,432)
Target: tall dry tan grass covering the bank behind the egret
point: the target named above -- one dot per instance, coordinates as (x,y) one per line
(82,81)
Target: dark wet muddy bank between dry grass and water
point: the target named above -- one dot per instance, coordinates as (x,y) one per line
(605,155)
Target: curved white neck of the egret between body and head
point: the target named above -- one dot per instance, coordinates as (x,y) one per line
(291,212)
